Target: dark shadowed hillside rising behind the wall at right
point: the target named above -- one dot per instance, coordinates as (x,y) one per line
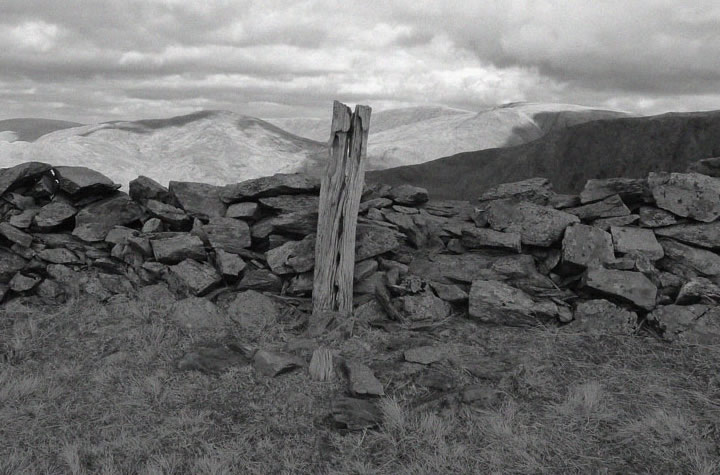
(630,147)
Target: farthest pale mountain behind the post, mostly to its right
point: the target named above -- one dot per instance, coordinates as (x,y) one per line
(419,134)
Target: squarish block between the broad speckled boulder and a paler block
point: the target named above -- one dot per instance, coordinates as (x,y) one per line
(586,246)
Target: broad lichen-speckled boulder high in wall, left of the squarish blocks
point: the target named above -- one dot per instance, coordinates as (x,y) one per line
(537,225)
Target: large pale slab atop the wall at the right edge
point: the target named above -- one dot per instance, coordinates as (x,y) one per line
(690,195)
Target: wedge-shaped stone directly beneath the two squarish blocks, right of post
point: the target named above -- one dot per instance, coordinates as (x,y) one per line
(630,286)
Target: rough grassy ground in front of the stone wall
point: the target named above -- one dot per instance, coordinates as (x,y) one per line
(91,388)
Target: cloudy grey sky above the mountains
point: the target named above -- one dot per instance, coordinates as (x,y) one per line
(97,60)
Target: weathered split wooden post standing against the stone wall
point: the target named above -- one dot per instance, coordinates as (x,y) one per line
(340,192)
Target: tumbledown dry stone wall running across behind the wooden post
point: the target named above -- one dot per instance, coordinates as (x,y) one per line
(622,256)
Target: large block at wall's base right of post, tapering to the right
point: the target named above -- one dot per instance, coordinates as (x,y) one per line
(499,303)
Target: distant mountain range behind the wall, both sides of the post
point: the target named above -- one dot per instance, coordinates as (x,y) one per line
(224,147)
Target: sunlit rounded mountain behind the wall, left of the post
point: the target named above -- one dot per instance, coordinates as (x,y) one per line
(211,146)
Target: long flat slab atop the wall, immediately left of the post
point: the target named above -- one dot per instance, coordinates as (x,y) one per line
(278,184)
